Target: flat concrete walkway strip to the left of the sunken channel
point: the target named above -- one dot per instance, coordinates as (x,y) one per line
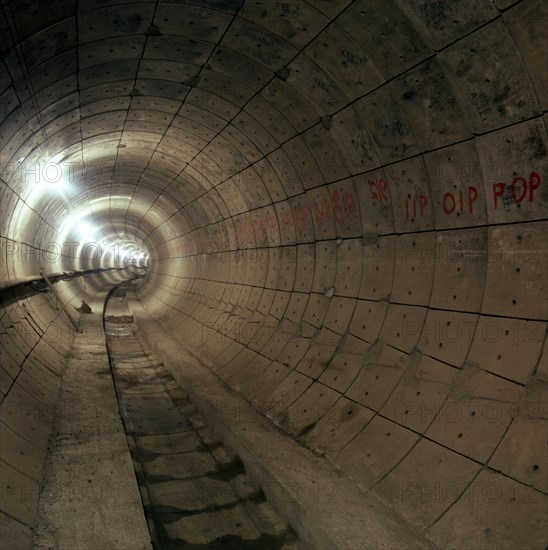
(89,495)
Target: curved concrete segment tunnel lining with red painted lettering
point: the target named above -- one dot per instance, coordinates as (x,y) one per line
(344,206)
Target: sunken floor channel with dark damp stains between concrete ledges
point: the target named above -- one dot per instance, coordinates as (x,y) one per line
(196,495)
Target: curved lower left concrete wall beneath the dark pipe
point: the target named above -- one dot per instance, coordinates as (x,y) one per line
(35,339)
